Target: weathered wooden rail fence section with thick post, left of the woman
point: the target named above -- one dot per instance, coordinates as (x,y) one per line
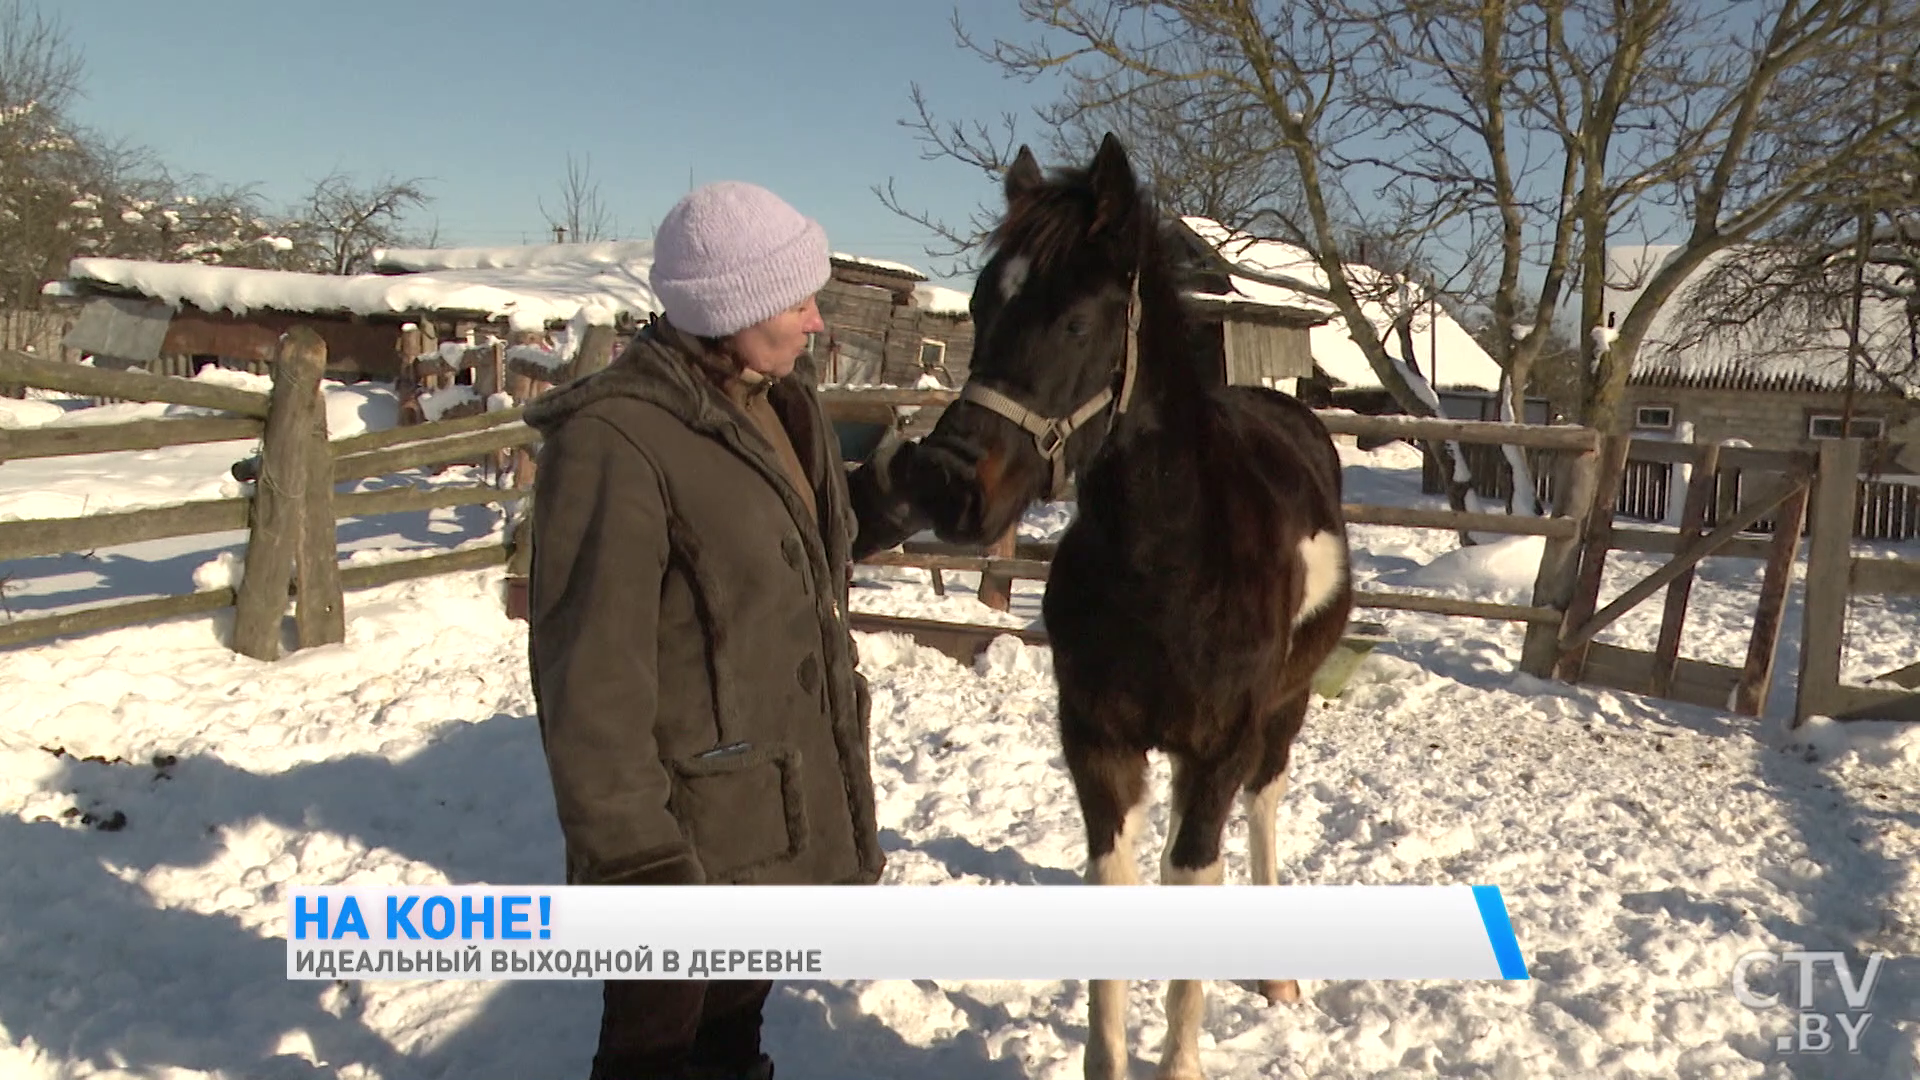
(291,522)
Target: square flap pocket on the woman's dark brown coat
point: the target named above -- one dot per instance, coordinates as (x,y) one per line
(742,808)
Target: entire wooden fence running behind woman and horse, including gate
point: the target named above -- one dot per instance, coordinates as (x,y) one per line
(295,508)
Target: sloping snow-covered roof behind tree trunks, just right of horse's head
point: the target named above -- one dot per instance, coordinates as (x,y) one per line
(1445,353)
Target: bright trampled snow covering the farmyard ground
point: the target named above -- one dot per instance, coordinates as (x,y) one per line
(160,793)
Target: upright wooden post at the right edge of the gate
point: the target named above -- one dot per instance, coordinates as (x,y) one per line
(1829,577)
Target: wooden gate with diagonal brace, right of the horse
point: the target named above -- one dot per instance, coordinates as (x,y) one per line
(1777,487)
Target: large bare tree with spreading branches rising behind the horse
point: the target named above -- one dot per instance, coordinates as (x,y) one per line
(1504,143)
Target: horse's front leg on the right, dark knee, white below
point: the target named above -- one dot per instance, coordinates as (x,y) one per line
(1203,797)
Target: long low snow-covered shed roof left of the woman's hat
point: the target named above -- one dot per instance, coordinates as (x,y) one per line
(529,287)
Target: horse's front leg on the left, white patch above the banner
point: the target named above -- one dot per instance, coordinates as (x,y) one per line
(1113,795)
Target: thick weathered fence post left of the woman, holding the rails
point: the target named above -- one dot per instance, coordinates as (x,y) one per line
(277,539)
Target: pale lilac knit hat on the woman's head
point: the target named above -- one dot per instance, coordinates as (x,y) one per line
(732,255)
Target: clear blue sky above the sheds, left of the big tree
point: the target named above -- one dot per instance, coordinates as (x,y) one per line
(487,99)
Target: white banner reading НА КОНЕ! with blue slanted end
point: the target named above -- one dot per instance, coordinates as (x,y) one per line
(900,933)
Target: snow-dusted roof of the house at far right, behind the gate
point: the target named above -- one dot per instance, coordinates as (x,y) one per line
(1754,356)
